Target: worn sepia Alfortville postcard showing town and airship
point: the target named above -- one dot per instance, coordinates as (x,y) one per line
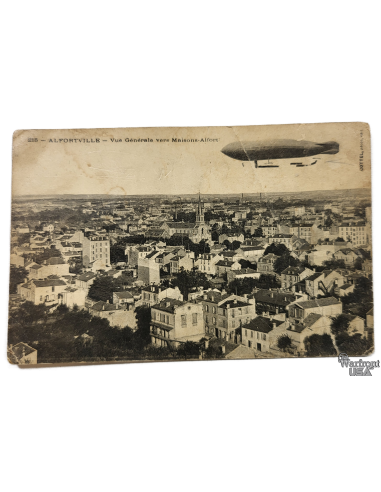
(144,244)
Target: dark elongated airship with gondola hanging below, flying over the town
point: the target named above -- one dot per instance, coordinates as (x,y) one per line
(267,150)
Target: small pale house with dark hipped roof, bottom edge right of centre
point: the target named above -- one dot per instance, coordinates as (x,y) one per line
(259,332)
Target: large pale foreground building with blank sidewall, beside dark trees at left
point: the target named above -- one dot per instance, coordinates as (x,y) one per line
(174,322)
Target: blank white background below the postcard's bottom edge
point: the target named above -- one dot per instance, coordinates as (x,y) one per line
(190,434)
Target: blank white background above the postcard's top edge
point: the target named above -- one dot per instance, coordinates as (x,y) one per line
(199,57)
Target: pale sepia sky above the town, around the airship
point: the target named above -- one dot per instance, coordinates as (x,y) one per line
(175,168)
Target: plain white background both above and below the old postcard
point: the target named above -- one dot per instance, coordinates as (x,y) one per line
(142,434)
